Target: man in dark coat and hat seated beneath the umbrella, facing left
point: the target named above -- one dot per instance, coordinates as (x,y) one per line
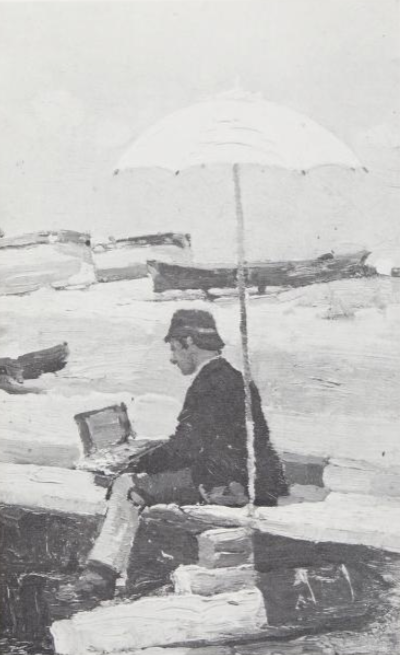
(204,461)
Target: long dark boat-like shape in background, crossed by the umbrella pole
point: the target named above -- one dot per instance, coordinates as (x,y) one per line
(260,275)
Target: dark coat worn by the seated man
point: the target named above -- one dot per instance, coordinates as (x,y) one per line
(210,437)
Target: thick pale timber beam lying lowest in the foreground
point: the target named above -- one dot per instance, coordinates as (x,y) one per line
(153,622)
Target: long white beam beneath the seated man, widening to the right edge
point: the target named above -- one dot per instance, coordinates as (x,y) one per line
(340,518)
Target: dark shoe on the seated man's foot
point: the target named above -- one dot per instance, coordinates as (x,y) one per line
(95,584)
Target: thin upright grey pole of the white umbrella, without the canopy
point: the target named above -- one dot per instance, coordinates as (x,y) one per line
(241,281)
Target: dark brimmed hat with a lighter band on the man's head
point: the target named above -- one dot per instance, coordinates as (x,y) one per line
(198,324)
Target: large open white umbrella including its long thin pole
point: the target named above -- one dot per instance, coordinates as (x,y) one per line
(238,129)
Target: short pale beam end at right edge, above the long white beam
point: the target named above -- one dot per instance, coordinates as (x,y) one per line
(362,478)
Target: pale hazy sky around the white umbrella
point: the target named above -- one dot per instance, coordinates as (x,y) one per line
(79,81)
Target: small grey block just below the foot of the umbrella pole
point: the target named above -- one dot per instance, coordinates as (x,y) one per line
(225,547)
